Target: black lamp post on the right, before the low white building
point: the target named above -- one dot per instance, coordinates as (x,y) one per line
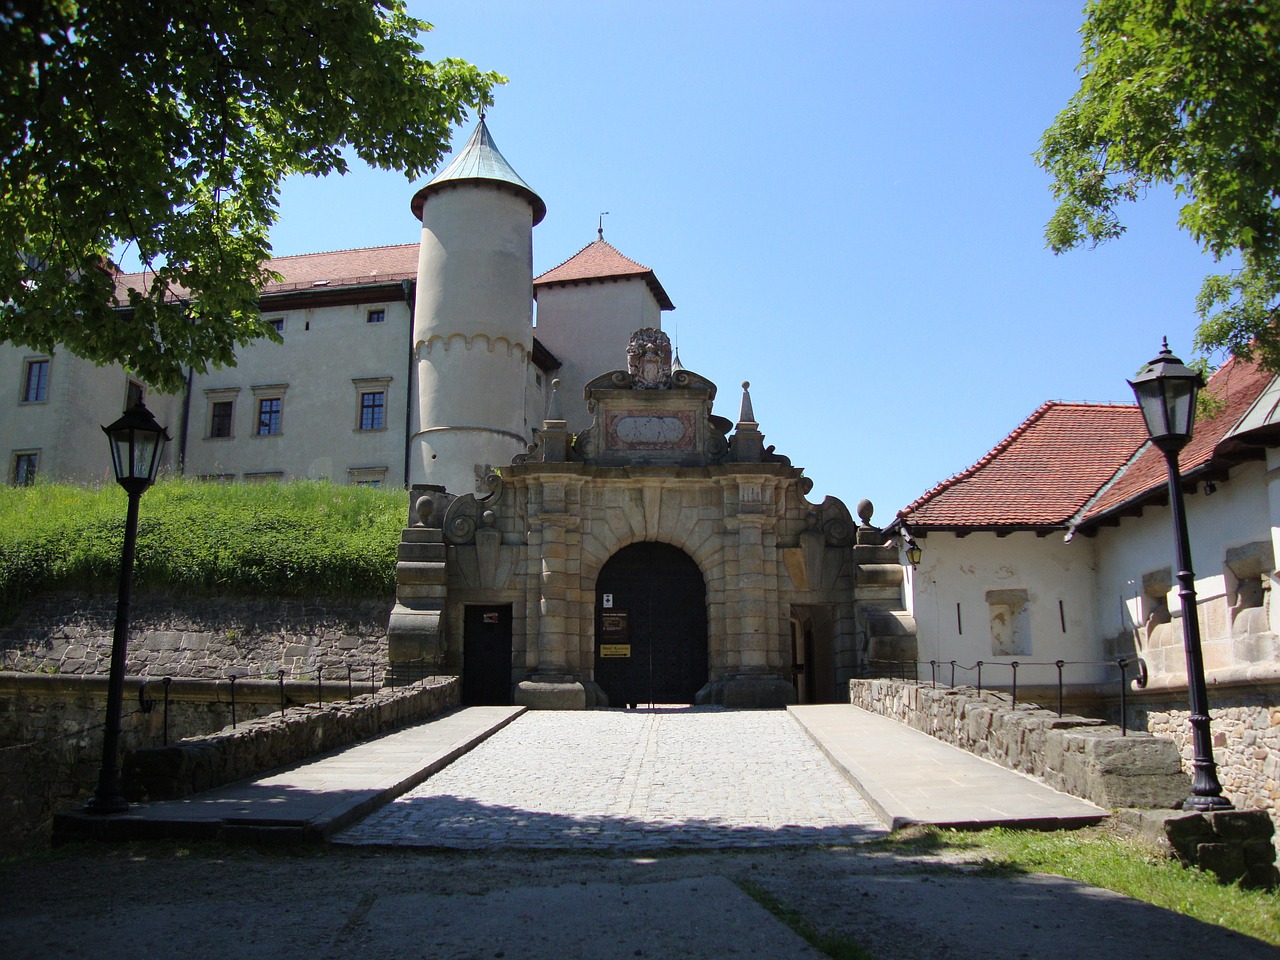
(1167,394)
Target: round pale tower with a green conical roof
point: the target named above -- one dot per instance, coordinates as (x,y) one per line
(473,322)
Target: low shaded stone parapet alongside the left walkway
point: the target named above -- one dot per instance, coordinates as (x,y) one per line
(259,746)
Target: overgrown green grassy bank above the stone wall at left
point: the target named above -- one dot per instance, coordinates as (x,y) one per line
(287,540)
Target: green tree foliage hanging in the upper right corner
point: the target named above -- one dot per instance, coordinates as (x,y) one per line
(1187,94)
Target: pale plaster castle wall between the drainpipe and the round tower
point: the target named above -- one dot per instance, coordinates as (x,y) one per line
(324,350)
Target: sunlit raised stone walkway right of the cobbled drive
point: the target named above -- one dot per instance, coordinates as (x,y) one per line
(909,778)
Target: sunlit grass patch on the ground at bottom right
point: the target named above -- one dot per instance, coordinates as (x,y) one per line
(1103,860)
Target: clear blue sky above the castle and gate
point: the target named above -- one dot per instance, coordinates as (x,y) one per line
(840,199)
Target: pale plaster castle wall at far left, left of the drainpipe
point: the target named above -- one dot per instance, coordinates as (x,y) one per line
(66,428)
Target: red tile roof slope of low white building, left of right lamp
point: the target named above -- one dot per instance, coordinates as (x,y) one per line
(1039,477)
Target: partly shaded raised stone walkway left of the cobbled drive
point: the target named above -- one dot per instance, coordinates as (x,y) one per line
(312,799)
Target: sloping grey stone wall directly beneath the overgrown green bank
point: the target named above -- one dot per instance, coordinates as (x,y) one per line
(67,634)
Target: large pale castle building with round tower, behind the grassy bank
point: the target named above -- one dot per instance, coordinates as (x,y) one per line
(403,364)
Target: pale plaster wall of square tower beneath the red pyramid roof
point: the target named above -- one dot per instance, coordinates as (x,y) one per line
(588,327)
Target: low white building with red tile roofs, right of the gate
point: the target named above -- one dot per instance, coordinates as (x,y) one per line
(1059,546)
